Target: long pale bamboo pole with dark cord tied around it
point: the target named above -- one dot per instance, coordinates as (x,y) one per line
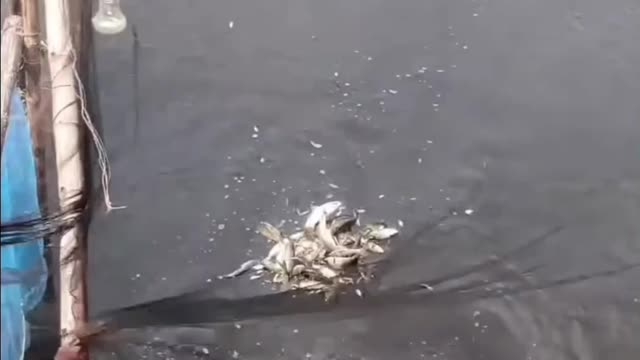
(68,139)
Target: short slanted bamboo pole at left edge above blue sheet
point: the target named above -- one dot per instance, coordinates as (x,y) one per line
(11,54)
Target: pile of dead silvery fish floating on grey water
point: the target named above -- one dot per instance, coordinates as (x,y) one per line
(325,254)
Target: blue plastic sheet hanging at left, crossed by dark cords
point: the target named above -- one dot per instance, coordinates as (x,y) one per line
(24,272)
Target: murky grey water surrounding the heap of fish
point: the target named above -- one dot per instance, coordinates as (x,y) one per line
(499,133)
